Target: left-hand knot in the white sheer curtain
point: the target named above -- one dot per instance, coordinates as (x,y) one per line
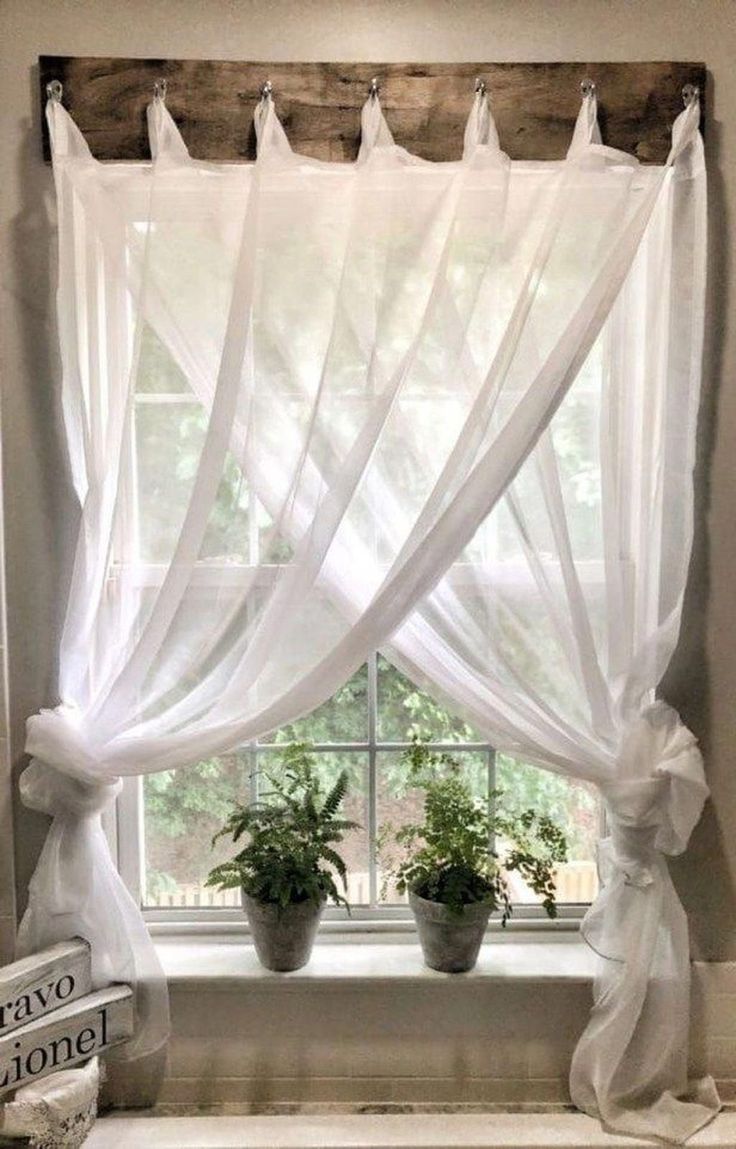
(66,775)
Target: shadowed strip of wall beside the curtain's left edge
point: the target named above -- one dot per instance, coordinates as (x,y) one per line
(42,511)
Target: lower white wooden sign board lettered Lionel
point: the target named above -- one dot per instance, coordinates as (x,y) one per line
(72,1035)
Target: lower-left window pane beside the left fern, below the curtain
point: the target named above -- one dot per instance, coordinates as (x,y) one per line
(183,811)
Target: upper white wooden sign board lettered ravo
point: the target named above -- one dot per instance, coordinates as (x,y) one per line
(43,983)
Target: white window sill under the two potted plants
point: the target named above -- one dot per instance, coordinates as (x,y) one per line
(197,965)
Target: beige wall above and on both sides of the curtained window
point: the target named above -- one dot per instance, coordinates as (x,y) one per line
(40,511)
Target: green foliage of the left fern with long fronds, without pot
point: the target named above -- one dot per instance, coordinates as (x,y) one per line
(291,836)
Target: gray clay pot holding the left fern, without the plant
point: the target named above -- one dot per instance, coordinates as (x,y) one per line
(284,938)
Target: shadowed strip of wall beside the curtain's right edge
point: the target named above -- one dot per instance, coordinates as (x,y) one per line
(703,875)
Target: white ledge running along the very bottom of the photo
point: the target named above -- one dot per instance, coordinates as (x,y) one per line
(445,1131)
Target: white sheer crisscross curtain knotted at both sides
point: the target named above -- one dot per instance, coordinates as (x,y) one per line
(393,356)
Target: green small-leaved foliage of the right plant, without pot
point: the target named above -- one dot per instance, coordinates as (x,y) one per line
(451,858)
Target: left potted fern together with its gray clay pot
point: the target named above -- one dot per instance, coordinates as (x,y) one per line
(288,867)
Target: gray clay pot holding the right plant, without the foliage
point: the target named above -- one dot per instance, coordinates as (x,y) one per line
(451,943)
